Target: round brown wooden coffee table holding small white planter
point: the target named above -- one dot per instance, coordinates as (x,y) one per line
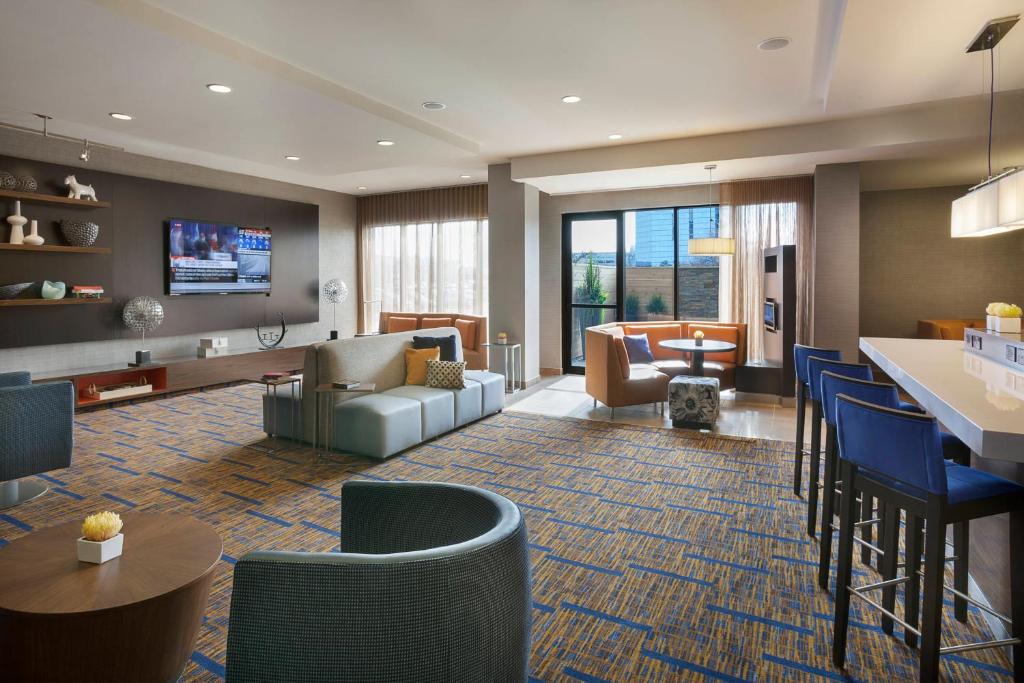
(132,619)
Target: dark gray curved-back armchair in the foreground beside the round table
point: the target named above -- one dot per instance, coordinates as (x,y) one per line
(433,584)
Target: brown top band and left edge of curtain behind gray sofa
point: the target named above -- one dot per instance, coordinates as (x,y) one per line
(419,206)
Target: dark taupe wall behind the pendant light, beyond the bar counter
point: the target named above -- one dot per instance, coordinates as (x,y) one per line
(912,270)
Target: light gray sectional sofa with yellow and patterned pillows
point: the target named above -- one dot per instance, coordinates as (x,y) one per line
(396,417)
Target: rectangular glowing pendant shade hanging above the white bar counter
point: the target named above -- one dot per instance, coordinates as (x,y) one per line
(991,209)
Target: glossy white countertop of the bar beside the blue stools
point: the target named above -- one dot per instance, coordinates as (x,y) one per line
(978,400)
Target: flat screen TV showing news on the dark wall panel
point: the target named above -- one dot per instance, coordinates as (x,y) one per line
(218,259)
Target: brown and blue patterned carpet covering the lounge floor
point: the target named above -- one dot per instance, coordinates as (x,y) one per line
(659,554)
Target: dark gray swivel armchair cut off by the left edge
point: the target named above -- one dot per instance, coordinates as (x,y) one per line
(36,434)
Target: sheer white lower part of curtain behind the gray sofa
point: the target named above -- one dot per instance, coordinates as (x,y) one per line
(423,268)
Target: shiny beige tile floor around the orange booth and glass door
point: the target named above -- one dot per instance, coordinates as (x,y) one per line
(566,396)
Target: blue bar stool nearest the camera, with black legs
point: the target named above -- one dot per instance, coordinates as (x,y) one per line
(897,456)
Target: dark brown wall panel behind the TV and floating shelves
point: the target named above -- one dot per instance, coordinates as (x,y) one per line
(135,228)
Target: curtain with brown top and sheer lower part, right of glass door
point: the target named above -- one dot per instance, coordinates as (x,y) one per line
(760,215)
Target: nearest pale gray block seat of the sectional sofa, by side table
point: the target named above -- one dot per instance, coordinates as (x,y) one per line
(377,425)
